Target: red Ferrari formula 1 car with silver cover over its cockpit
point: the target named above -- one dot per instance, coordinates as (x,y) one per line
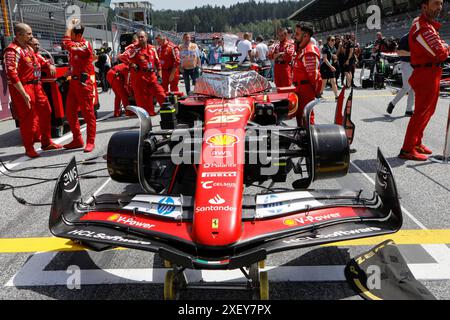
(196,171)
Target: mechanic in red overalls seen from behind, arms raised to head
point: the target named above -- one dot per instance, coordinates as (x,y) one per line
(81,93)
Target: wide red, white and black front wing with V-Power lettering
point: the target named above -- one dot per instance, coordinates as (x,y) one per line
(271,223)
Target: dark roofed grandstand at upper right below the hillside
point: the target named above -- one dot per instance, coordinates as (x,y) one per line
(347,16)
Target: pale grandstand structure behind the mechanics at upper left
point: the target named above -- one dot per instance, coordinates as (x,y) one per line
(48,18)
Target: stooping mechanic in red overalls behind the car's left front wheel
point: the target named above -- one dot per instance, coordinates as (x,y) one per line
(117,78)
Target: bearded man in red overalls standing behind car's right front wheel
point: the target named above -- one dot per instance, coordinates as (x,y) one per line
(306,71)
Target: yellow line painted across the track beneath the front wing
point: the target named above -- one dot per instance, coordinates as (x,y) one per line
(47,244)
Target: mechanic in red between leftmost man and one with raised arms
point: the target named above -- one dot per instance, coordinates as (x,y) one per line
(42,122)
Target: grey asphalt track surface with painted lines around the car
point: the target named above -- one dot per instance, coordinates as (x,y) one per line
(34,265)
